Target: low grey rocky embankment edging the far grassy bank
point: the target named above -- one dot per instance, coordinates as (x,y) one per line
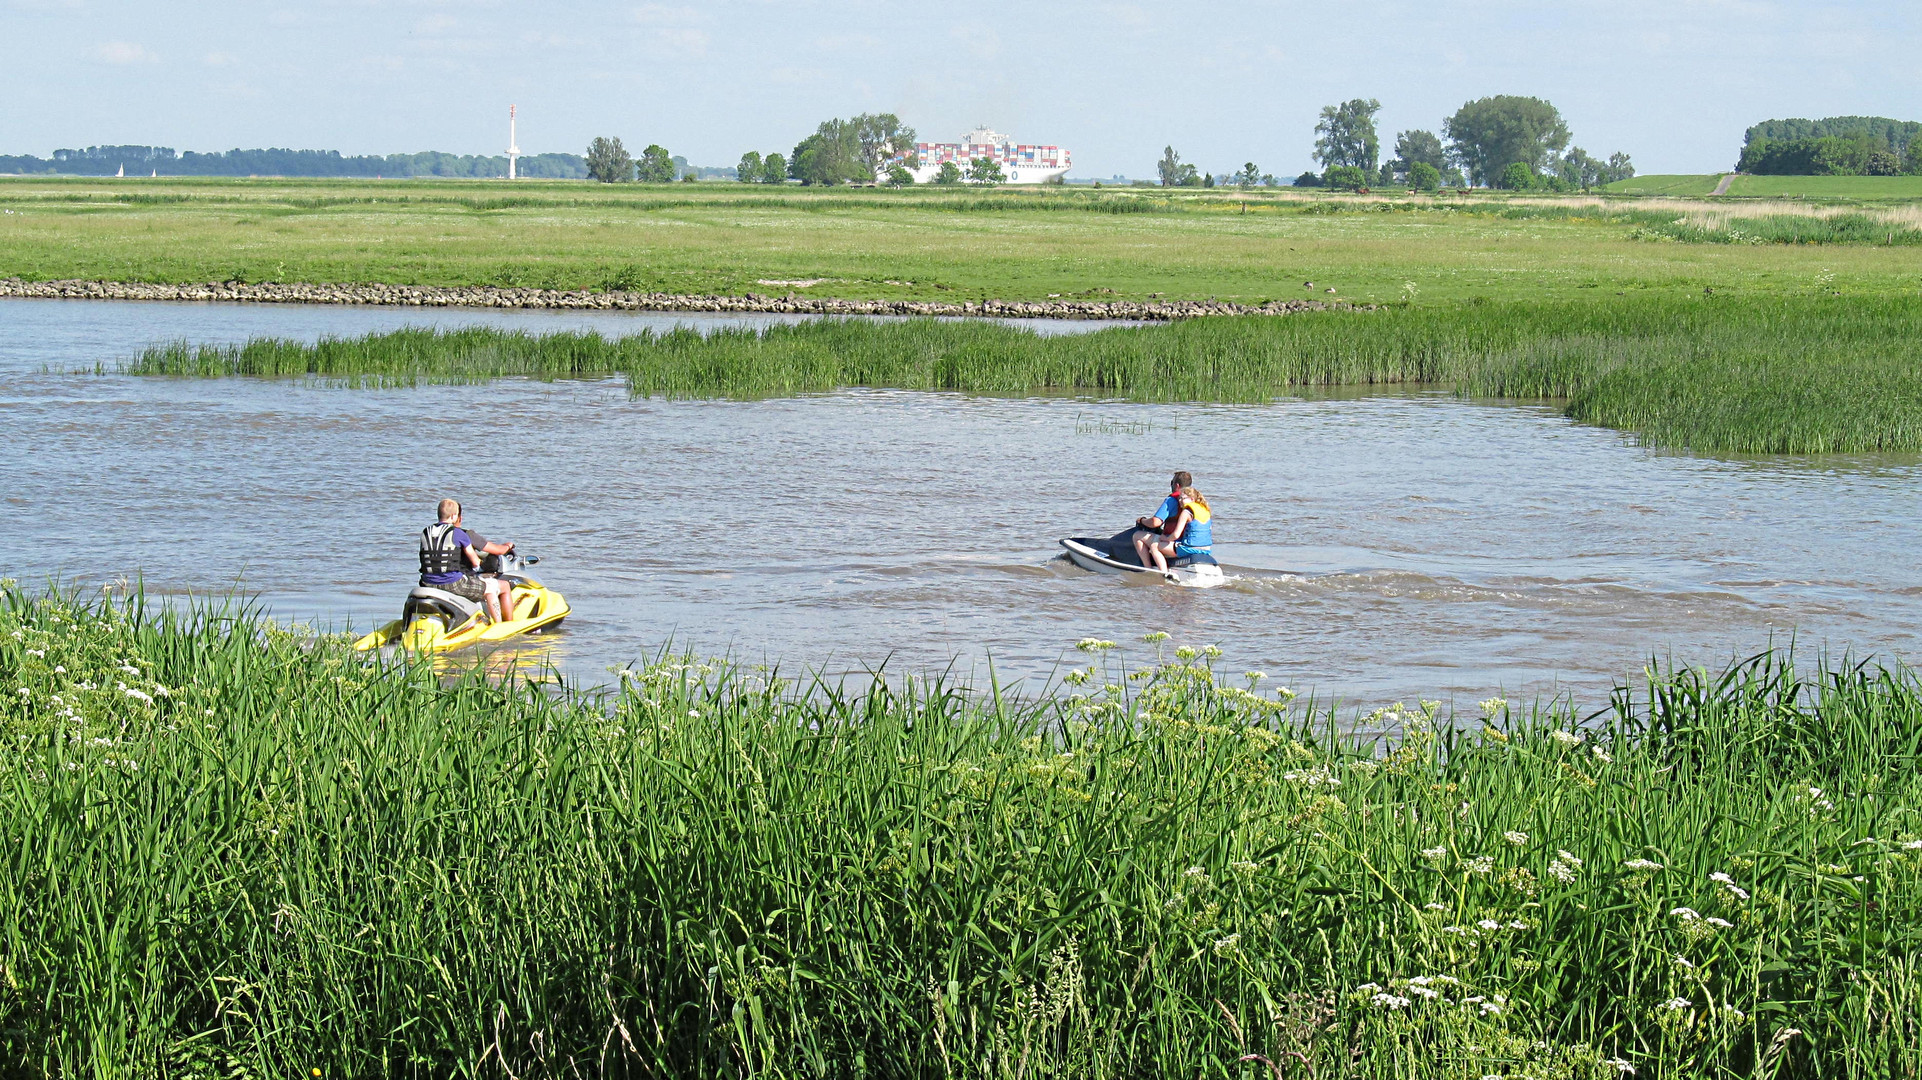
(791,305)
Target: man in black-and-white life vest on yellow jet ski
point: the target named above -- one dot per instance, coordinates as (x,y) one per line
(470,593)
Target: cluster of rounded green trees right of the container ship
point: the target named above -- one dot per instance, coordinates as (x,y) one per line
(1504,143)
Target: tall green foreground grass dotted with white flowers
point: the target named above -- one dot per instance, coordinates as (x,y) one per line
(239,852)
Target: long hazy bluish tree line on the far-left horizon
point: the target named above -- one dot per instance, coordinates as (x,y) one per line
(276,162)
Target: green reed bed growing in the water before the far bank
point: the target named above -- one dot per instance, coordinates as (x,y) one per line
(1777,376)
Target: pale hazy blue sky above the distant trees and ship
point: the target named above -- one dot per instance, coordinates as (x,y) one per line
(1671,82)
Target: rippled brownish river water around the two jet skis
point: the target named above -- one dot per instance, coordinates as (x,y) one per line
(1383,547)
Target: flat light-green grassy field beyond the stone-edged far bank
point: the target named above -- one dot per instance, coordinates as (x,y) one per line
(925,245)
